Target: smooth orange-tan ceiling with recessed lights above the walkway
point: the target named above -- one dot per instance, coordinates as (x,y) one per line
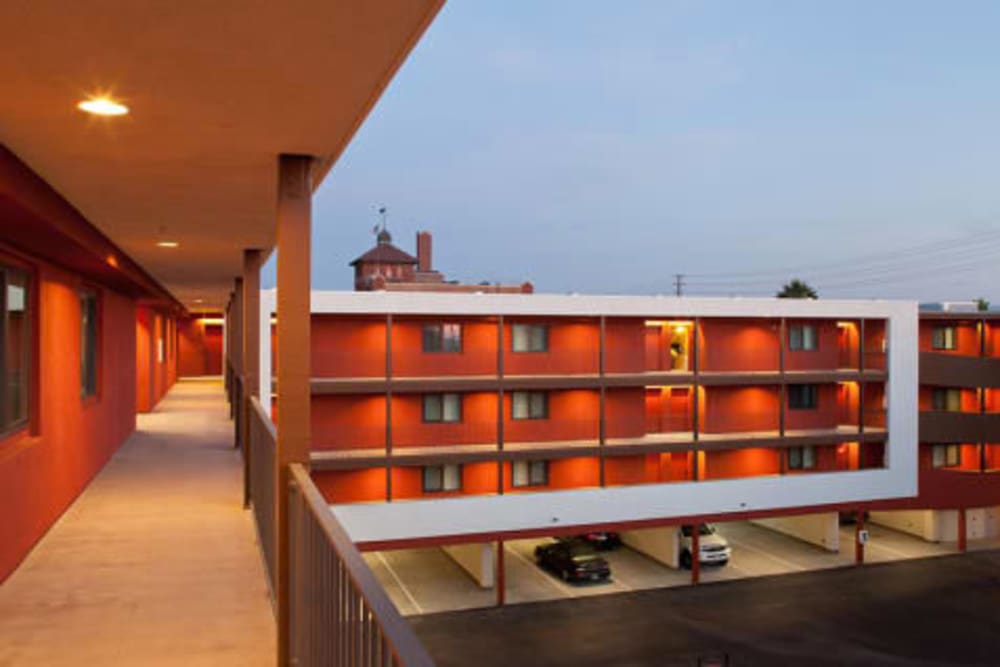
(216,90)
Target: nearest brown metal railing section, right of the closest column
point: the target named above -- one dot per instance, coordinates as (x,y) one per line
(340,615)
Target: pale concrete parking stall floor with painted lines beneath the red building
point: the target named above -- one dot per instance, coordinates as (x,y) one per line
(424,581)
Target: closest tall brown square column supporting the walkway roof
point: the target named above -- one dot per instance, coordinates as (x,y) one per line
(293,309)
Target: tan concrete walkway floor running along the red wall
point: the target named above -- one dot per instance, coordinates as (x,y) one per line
(156,562)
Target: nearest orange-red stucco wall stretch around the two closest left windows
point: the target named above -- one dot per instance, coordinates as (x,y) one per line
(42,472)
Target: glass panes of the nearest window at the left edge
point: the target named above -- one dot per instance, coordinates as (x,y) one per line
(15,364)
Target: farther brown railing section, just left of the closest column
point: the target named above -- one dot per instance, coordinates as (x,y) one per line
(262,444)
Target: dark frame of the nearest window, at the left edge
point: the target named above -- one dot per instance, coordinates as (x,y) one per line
(10,424)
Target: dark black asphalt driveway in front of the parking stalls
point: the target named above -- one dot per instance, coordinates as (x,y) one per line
(930,611)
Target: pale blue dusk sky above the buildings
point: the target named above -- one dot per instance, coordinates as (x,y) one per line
(596,147)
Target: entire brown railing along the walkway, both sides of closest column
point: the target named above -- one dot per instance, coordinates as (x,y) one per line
(339,613)
